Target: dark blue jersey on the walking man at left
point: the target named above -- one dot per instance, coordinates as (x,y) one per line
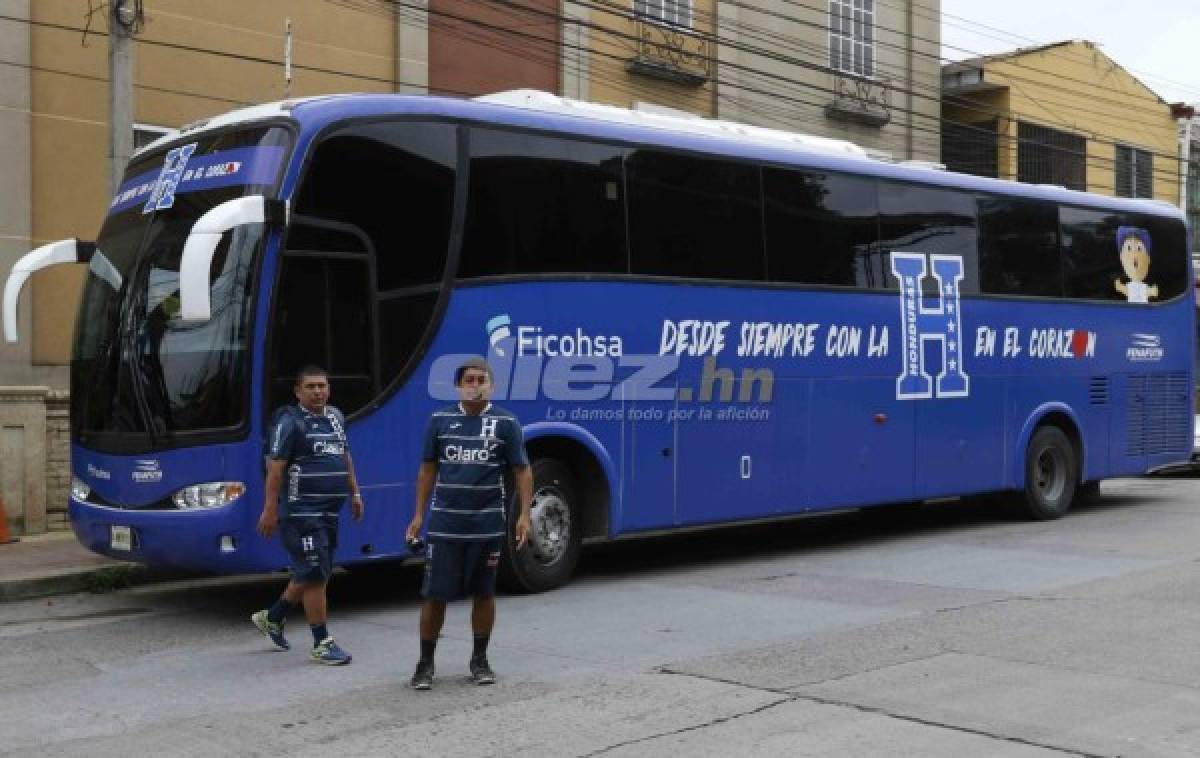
(316,480)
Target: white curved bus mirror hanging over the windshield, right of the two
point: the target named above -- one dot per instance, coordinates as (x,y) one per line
(195,303)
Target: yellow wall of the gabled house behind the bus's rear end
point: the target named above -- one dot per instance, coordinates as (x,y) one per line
(1078,89)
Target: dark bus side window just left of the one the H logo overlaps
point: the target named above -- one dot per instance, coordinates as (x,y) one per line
(821,228)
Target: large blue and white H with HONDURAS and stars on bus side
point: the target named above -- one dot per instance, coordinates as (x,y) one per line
(941,323)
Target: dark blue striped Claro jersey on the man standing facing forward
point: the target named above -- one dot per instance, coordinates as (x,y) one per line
(473,454)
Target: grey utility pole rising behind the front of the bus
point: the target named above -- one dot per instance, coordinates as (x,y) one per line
(124,20)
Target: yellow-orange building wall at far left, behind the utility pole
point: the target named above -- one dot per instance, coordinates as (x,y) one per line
(172,87)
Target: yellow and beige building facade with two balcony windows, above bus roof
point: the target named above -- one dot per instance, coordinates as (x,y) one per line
(857,70)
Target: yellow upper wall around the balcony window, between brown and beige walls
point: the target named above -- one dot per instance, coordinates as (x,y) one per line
(613,44)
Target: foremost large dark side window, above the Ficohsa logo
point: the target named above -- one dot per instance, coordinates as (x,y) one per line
(543,206)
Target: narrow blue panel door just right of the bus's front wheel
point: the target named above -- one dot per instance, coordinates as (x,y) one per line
(649,497)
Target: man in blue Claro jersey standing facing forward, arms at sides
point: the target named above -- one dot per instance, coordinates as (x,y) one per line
(466,453)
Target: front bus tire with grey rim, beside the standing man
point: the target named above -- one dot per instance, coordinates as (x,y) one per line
(556,533)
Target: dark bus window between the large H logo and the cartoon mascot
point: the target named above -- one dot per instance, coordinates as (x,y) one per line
(1019,248)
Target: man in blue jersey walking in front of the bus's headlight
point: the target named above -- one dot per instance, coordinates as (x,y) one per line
(309,477)
